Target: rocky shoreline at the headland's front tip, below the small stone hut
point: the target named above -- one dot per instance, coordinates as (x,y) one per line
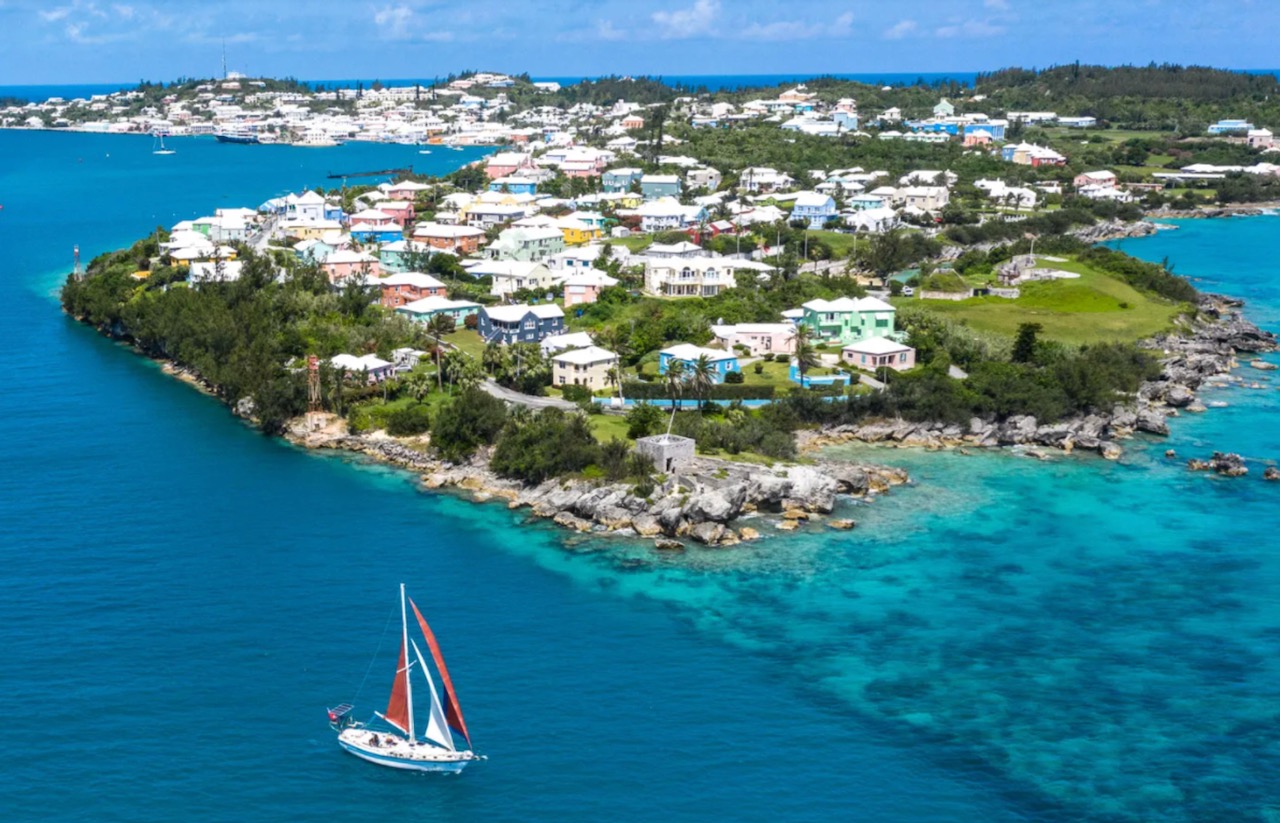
(703,504)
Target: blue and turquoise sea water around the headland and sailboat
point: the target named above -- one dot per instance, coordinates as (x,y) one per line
(1004,641)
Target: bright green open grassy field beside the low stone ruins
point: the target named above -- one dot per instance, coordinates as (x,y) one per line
(1092,309)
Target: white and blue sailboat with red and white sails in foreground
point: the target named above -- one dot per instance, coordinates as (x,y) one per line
(400,748)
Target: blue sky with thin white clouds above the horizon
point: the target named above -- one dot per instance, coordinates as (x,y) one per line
(92,42)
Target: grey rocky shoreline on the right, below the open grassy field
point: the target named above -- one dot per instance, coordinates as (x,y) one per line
(1203,354)
